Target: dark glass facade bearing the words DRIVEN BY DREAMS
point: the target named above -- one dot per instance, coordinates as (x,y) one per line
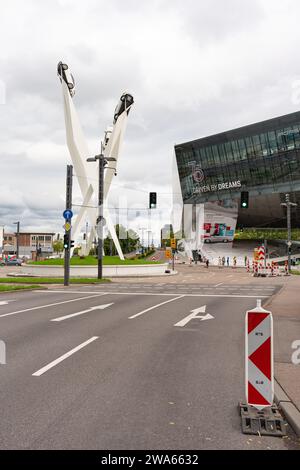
(262,158)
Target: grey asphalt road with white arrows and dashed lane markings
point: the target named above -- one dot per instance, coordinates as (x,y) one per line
(124,376)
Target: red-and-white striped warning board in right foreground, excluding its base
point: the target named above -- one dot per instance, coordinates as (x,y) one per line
(259,373)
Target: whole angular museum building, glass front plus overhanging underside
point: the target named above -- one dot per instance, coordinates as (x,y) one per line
(262,159)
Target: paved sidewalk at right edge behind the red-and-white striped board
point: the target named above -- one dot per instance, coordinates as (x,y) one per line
(285,307)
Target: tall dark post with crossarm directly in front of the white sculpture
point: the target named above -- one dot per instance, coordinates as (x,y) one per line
(100,219)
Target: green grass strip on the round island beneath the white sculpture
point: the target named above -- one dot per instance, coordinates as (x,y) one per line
(92,260)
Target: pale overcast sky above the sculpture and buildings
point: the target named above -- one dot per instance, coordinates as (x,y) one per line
(194,67)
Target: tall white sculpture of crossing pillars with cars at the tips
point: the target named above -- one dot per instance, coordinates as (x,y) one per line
(79,153)
